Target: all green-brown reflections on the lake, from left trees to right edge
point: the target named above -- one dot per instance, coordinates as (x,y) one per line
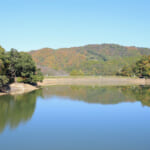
(19,109)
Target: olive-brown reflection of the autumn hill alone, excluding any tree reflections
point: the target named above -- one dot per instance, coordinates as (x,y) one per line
(102,95)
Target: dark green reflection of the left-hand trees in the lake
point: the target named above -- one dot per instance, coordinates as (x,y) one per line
(17,109)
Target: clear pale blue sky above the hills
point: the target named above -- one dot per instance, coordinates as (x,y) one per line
(34,24)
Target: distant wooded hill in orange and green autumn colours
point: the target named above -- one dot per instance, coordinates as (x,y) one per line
(105,59)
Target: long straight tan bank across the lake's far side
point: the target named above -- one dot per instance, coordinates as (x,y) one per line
(92,80)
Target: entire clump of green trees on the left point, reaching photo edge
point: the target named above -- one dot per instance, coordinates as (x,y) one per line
(17,67)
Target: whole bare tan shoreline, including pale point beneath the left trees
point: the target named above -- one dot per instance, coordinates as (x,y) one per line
(21,88)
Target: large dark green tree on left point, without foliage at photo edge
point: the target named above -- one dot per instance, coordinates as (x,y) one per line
(21,64)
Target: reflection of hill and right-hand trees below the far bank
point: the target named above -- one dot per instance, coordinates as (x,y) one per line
(102,95)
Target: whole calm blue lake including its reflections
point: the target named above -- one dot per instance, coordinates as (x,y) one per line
(76,118)
